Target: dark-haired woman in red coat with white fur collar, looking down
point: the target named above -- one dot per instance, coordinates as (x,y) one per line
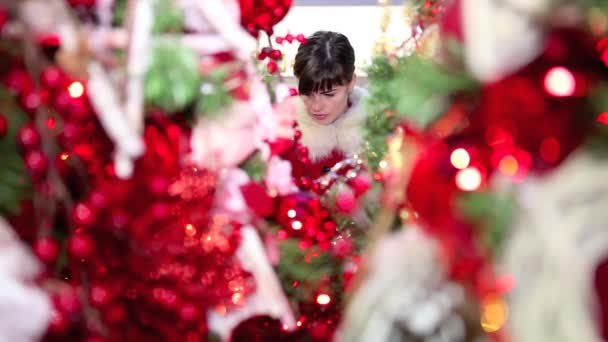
(330,113)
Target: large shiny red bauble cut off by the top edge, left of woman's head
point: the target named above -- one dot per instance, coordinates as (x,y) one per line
(262,15)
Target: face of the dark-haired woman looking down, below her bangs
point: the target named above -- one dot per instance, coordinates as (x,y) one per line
(324,107)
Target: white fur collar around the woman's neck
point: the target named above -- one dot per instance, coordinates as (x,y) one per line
(343,135)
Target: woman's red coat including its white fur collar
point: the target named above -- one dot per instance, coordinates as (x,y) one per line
(327,144)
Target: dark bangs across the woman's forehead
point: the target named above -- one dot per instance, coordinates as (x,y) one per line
(317,78)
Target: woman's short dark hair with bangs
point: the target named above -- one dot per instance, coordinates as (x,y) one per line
(326,59)
